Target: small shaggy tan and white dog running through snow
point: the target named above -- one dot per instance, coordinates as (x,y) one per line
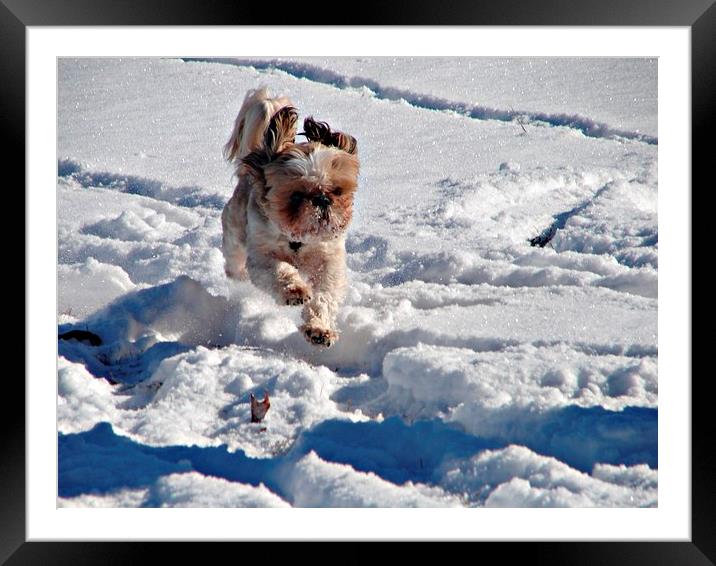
(284,227)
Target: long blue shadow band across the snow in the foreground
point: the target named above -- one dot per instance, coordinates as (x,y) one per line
(100,461)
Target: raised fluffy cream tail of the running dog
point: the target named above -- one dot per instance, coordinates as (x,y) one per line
(251,123)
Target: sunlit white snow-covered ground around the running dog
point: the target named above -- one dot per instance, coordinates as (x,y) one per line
(473,369)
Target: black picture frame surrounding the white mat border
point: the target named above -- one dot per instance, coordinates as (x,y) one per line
(699,15)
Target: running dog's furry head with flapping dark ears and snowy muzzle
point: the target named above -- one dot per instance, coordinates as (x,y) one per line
(305,189)
